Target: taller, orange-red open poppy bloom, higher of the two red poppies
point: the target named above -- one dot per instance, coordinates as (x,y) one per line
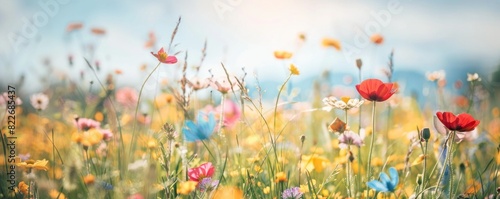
(376,90)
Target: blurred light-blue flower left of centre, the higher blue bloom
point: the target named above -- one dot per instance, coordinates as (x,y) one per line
(200,131)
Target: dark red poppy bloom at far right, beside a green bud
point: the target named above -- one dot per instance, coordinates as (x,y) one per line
(462,122)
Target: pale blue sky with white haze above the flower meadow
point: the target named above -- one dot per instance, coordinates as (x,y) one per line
(425,35)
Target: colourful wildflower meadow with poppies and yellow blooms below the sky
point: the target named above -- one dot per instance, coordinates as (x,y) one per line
(219,131)
